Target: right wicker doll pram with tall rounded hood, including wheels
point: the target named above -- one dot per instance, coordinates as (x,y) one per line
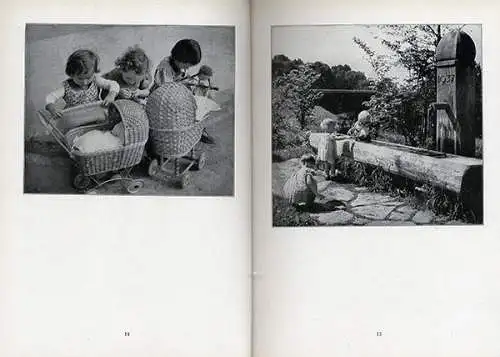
(174,134)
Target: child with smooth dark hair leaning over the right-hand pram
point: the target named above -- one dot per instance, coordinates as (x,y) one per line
(185,54)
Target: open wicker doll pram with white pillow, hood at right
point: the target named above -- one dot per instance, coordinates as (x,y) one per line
(79,120)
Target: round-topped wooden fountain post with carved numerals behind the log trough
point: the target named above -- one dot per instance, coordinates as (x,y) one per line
(455,90)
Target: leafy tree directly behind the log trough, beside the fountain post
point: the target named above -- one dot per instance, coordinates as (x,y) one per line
(413,47)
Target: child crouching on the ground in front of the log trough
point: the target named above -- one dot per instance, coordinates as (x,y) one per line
(301,188)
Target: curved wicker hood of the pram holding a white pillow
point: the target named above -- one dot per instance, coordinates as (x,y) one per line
(135,120)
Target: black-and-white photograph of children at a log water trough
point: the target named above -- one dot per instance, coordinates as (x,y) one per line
(377,125)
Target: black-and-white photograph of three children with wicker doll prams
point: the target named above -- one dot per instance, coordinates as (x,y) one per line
(129,110)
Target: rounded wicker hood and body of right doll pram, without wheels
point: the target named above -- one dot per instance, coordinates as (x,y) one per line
(171,110)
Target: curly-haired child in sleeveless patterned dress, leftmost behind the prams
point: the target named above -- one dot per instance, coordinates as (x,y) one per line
(83,85)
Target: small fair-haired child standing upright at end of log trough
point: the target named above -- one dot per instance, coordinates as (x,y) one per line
(327,148)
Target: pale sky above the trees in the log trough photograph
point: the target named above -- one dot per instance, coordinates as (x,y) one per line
(333,44)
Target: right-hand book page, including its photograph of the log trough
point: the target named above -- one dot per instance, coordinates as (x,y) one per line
(374,145)
